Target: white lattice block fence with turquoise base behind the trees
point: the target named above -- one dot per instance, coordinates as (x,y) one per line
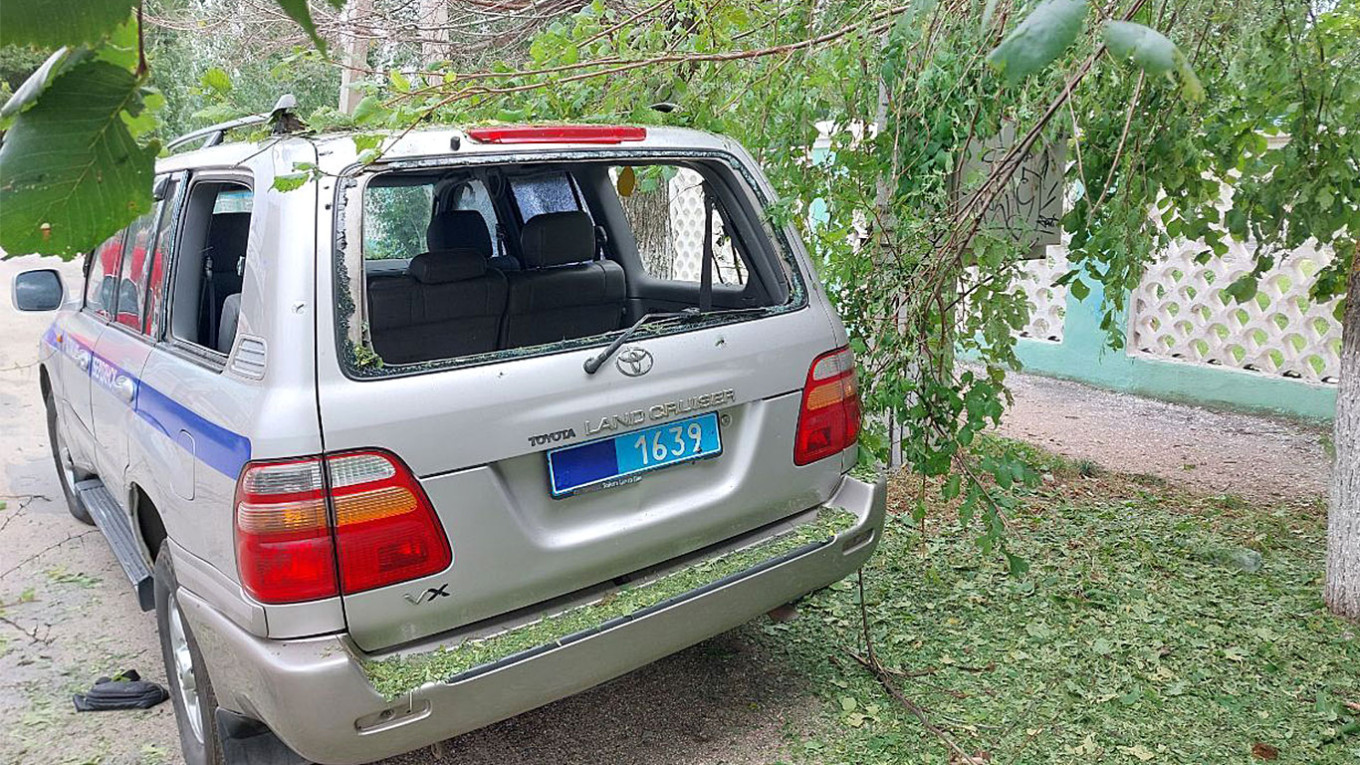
(1189,341)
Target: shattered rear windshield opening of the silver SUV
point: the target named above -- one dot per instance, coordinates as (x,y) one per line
(474,263)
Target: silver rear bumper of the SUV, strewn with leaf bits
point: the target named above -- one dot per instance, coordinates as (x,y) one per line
(316,698)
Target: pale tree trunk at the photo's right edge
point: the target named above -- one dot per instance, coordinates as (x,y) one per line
(1343,587)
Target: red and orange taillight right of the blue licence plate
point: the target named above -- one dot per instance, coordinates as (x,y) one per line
(829,421)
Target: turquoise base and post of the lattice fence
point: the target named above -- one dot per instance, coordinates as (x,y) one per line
(1085,356)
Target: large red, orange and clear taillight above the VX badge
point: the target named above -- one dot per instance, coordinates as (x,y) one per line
(384,529)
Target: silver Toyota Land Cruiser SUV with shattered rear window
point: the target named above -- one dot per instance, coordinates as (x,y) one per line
(396,450)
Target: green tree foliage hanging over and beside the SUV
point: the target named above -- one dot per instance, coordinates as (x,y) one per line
(1159,104)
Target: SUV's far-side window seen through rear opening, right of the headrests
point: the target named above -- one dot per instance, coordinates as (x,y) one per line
(666,210)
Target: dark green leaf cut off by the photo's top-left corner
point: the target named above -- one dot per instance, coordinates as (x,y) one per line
(52,24)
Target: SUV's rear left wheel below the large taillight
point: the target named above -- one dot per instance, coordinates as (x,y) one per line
(195,710)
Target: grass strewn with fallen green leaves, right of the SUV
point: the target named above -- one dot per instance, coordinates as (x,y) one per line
(1139,635)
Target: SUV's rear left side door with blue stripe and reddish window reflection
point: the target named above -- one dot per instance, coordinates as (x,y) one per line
(122,352)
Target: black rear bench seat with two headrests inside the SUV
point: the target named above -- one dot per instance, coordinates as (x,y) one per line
(452,303)
